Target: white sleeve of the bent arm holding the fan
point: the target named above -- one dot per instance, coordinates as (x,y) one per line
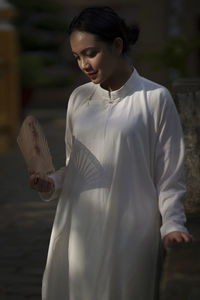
(59,176)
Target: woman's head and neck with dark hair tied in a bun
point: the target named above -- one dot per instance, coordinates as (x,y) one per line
(98,39)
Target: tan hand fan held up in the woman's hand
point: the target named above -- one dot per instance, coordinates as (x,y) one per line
(34,147)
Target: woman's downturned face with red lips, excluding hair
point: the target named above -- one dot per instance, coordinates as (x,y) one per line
(97,59)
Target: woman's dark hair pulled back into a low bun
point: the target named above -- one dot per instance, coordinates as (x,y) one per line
(103,22)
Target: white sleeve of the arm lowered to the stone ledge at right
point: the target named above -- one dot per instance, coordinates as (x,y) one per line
(169,166)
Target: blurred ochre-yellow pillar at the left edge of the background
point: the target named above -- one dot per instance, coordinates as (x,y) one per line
(9,97)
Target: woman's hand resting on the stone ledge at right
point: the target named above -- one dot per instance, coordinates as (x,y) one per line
(176,237)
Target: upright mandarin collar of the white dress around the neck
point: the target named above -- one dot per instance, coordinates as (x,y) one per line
(119,94)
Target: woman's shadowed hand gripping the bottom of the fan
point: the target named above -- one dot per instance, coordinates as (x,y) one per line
(40,182)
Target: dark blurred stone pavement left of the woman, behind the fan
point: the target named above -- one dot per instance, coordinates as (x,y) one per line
(26,221)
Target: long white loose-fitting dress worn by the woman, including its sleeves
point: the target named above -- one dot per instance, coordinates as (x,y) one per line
(119,193)
